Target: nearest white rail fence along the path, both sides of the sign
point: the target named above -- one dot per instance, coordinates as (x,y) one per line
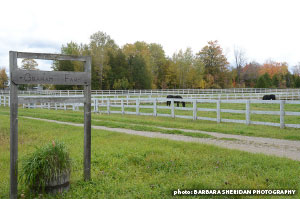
(105,105)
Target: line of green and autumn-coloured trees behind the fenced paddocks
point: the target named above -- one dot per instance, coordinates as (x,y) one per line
(145,66)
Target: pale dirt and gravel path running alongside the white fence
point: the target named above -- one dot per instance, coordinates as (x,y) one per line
(269,146)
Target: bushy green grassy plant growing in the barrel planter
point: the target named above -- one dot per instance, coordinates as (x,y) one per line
(44,164)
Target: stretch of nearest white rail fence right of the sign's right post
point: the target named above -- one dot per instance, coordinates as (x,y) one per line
(194,110)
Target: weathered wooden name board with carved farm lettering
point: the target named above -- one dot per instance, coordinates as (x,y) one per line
(50,77)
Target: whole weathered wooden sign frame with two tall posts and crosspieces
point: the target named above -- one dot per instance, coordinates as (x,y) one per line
(18,76)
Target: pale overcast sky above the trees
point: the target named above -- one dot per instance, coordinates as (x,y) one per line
(264,29)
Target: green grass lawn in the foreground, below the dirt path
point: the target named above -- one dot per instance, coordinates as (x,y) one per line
(126,166)
